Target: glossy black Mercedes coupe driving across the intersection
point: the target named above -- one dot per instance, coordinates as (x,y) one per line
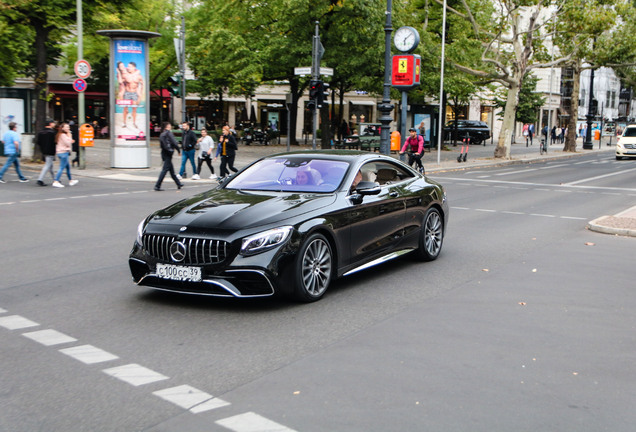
(289,224)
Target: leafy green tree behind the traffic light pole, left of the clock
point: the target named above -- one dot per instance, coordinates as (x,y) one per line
(239,45)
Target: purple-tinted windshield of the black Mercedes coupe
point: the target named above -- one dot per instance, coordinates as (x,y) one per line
(293,174)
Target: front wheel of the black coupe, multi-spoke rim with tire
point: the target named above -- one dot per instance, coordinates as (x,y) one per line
(314,268)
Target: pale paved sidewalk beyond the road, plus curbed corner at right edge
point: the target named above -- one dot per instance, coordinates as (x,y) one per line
(98,161)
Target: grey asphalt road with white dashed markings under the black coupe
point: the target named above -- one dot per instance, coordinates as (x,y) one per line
(525,322)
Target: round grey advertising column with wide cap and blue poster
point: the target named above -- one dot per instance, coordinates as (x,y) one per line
(129,97)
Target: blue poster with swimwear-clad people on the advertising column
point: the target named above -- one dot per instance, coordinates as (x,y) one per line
(130,81)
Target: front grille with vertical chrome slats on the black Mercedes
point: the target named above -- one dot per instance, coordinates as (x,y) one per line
(198,251)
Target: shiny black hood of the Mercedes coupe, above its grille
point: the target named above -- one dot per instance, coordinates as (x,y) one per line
(234,209)
